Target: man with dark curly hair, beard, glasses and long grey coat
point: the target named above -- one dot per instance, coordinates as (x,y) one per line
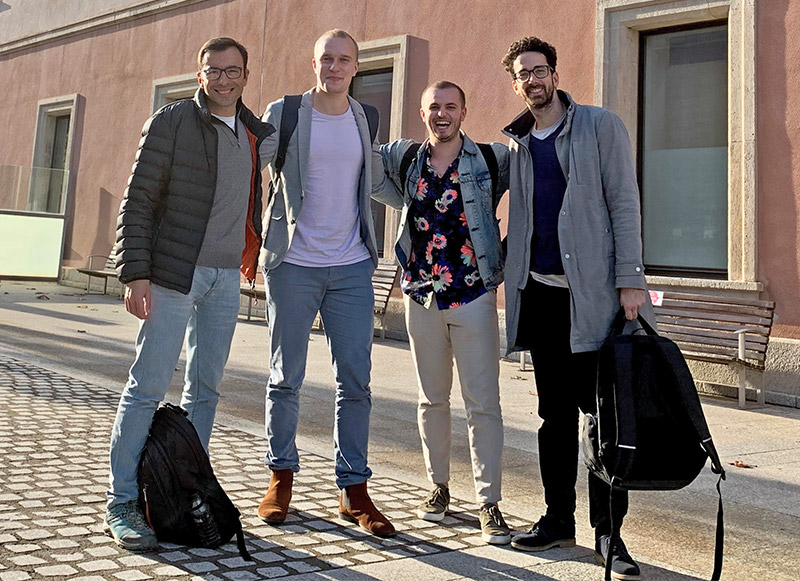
(574,259)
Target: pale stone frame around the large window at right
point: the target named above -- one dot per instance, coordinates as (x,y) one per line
(619,23)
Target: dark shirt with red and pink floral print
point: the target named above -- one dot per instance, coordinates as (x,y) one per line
(442,265)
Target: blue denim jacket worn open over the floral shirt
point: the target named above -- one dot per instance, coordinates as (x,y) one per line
(476,191)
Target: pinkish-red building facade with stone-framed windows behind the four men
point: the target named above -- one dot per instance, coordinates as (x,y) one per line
(707,89)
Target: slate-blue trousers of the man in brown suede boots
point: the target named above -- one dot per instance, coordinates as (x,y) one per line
(343,297)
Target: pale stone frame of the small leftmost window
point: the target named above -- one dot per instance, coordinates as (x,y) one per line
(48,111)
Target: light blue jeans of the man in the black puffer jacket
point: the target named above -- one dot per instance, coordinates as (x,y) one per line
(206,317)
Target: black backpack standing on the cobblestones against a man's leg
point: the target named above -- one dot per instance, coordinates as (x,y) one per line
(178,492)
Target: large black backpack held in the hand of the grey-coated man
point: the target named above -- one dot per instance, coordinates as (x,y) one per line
(650,432)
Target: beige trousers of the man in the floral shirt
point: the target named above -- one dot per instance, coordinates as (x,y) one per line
(469,334)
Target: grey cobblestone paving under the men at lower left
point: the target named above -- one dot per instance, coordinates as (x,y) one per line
(54,433)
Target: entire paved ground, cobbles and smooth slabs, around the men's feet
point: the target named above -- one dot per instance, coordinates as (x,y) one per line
(63,359)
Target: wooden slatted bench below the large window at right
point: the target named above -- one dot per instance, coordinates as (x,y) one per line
(728,330)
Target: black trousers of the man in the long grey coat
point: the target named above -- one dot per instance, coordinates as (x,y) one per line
(566,383)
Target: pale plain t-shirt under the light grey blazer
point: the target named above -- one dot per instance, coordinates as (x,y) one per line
(328,230)
